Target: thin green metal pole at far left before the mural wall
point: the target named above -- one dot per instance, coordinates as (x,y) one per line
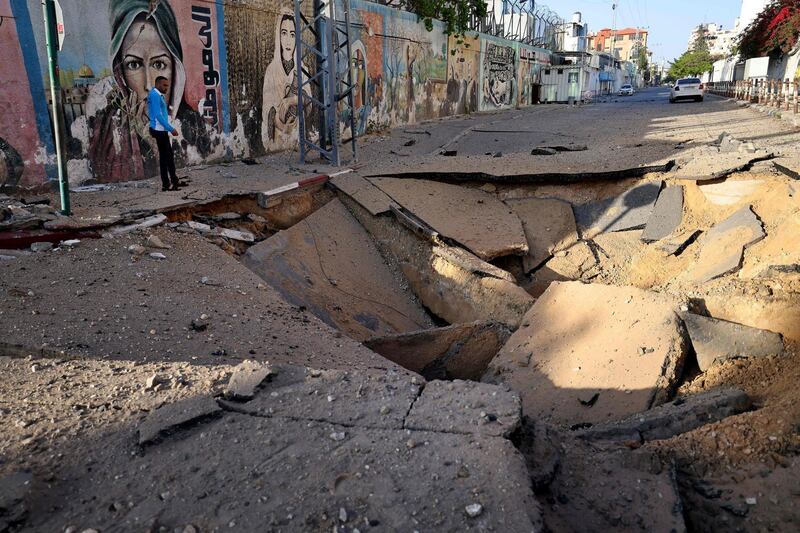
(52,39)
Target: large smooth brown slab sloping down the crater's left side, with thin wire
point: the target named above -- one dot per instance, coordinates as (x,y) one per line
(328,264)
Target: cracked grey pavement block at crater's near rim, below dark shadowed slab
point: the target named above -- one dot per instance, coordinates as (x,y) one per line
(466,407)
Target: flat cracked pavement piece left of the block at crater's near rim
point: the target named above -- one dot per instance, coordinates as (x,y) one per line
(334,396)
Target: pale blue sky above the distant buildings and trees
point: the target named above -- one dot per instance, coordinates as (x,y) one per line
(669,21)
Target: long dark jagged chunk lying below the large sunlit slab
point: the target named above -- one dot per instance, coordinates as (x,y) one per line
(668,420)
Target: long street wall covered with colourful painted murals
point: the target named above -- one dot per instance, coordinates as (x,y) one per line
(233,81)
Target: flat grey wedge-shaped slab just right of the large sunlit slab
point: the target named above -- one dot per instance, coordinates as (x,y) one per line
(717,340)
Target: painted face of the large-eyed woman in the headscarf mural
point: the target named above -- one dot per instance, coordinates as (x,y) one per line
(144,57)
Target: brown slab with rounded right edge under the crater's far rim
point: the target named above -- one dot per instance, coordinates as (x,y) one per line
(471,217)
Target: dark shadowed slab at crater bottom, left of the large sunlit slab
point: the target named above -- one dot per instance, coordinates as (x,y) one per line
(460,351)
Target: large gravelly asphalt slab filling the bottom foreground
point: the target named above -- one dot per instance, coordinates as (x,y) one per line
(247,473)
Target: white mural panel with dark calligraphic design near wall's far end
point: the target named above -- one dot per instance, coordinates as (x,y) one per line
(498,75)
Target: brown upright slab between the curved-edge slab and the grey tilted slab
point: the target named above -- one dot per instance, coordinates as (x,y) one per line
(549,226)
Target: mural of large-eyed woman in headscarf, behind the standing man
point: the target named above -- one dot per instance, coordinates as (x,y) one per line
(145,44)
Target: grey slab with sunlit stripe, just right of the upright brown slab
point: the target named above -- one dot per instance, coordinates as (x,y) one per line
(630,210)
